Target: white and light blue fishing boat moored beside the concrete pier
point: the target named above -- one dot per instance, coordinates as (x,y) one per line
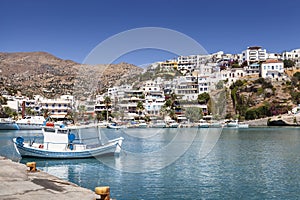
(67,142)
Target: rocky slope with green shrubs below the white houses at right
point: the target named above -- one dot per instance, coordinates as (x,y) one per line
(260,98)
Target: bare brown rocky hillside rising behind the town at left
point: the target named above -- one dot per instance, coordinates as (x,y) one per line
(42,73)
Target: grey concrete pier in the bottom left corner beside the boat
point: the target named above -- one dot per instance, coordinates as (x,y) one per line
(17,182)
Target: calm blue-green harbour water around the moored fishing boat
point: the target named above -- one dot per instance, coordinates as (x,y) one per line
(254,163)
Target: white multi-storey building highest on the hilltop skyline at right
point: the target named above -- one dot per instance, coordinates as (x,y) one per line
(254,54)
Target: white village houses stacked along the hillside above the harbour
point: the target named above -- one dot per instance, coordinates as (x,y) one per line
(199,74)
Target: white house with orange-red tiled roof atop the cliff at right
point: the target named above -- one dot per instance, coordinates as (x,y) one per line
(272,69)
